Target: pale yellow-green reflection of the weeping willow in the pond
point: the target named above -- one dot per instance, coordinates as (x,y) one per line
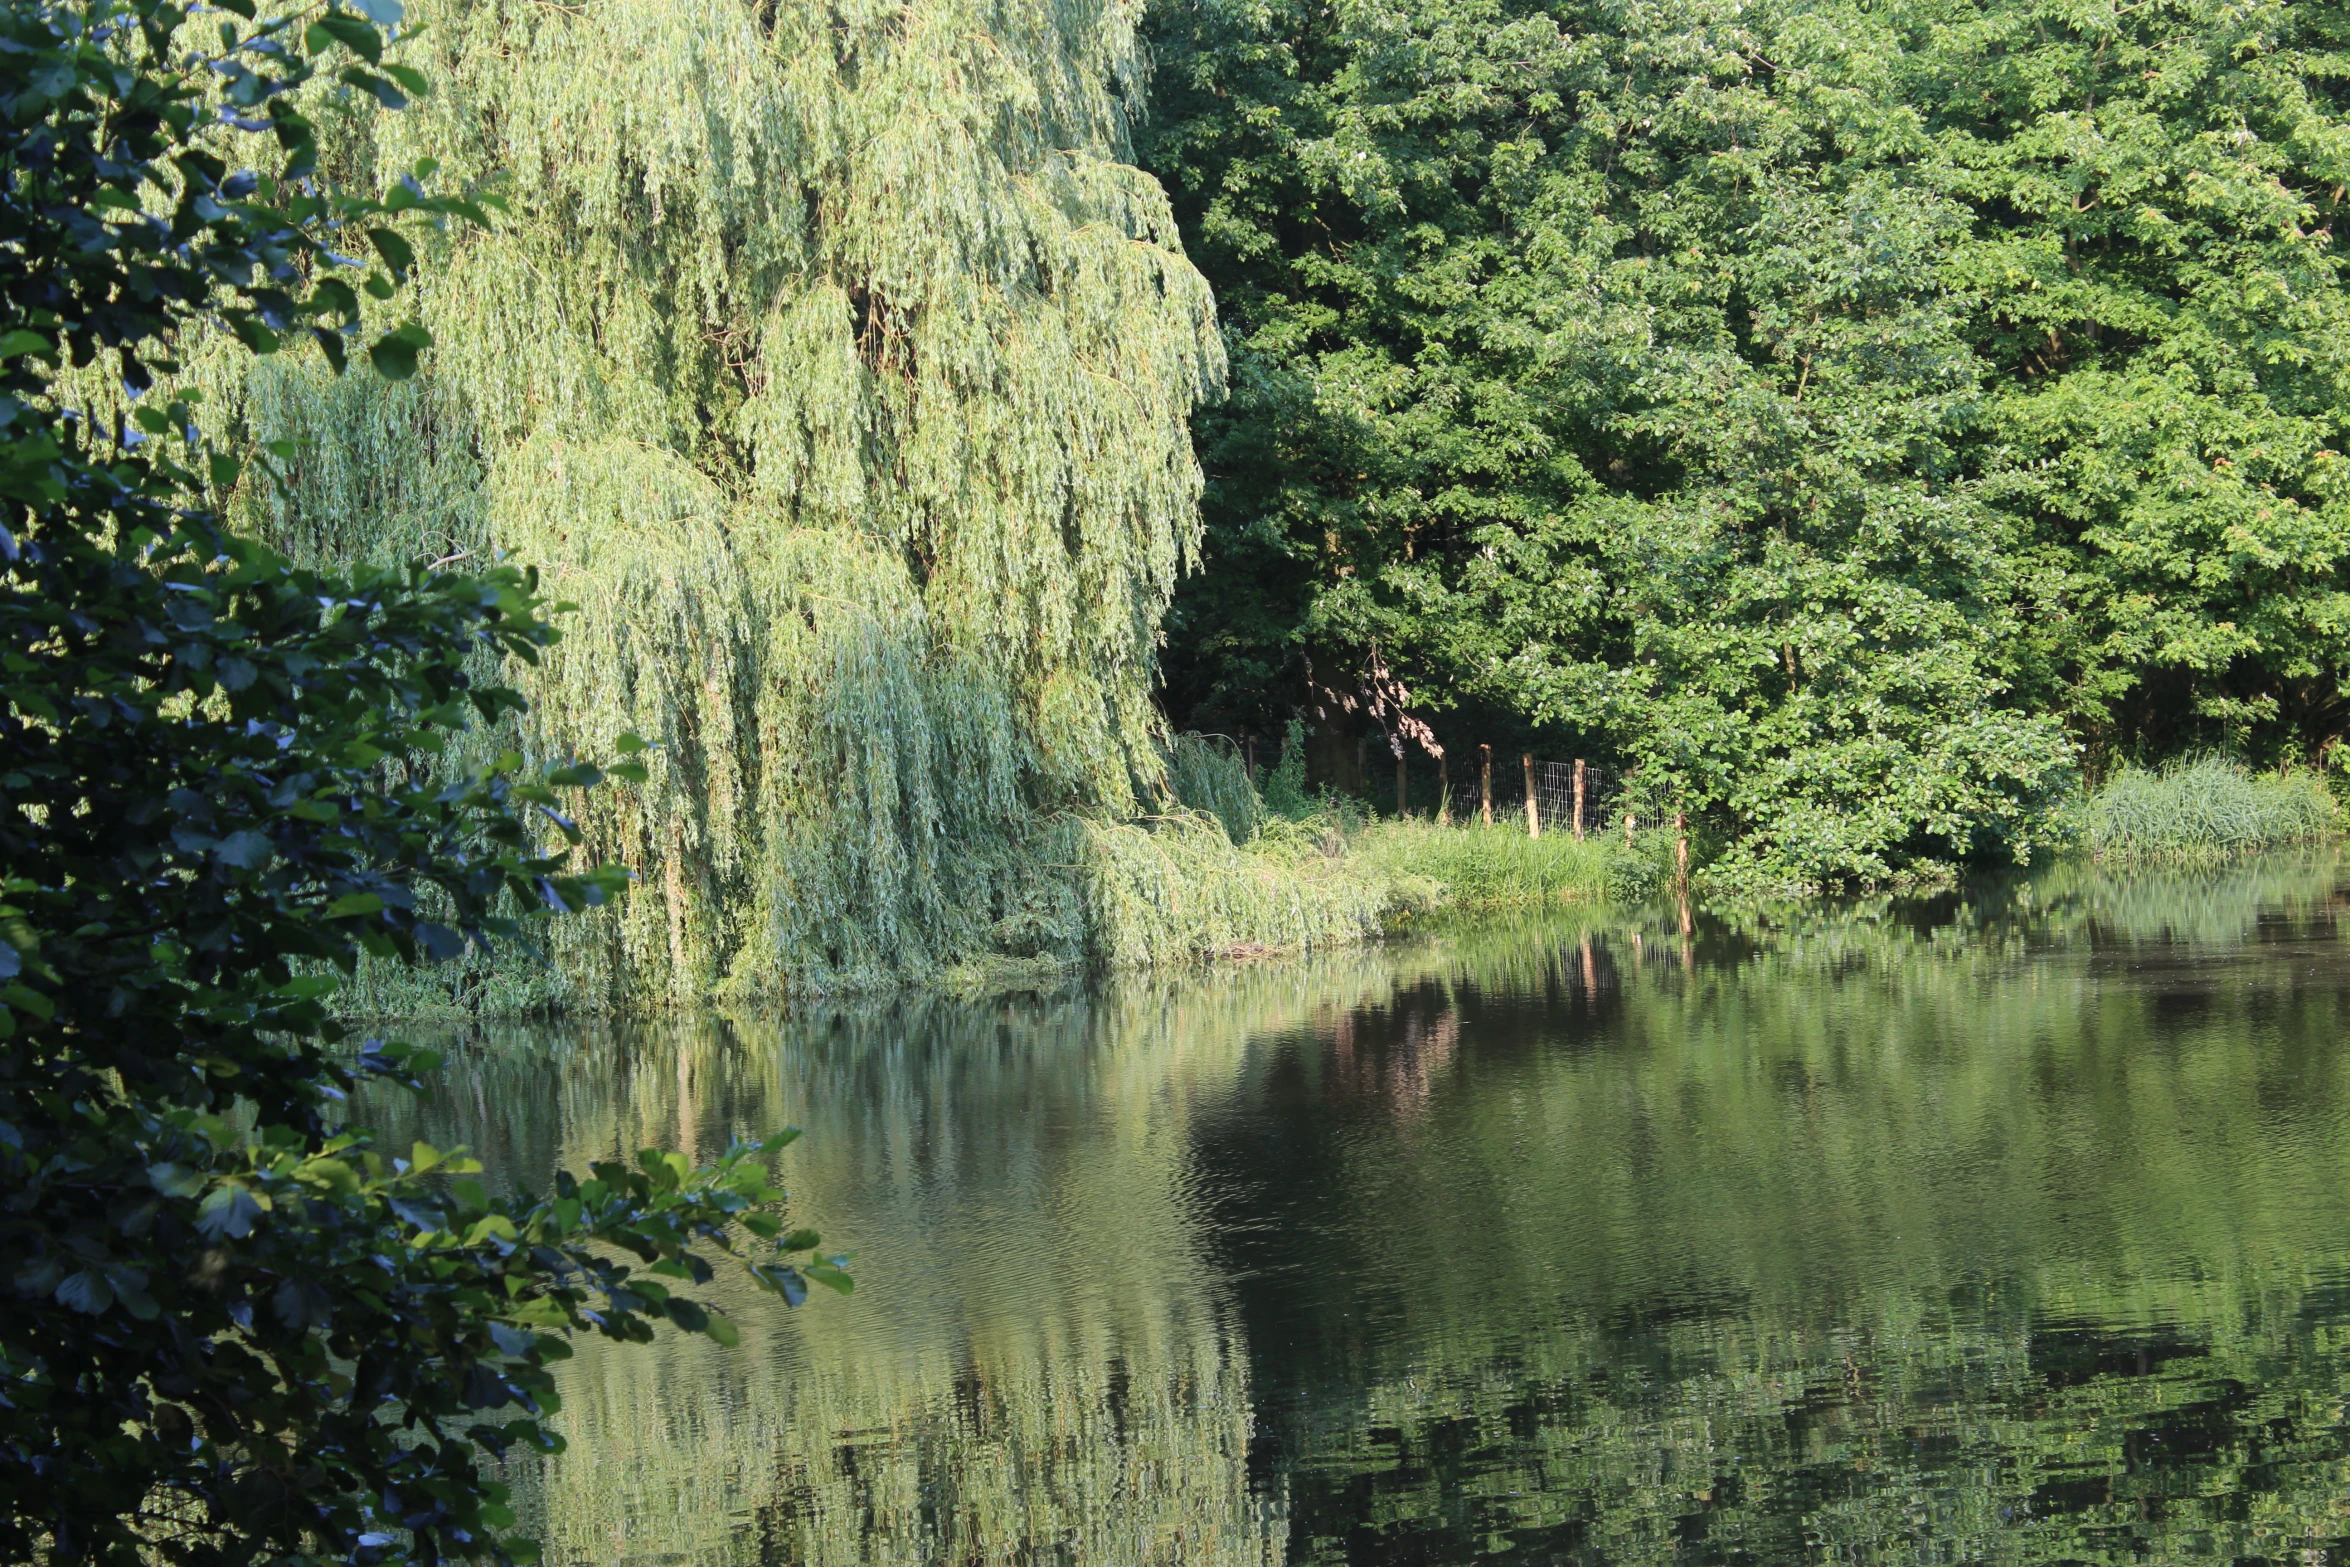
(1038,1350)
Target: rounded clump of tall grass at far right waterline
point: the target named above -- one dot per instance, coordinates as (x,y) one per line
(2205,809)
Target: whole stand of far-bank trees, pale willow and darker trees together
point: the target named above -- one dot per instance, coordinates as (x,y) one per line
(1862,426)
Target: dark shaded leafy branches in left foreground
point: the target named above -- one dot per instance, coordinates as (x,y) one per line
(231,1329)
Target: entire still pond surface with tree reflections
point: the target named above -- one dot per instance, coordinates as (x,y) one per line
(1999,1228)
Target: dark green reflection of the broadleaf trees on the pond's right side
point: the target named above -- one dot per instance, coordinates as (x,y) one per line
(1989,1232)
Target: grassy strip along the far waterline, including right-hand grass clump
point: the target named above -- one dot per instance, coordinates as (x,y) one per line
(1228,870)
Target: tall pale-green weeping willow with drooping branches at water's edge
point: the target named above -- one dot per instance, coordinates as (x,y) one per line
(838,368)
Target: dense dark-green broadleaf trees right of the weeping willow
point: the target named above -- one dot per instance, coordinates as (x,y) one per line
(1855,417)
